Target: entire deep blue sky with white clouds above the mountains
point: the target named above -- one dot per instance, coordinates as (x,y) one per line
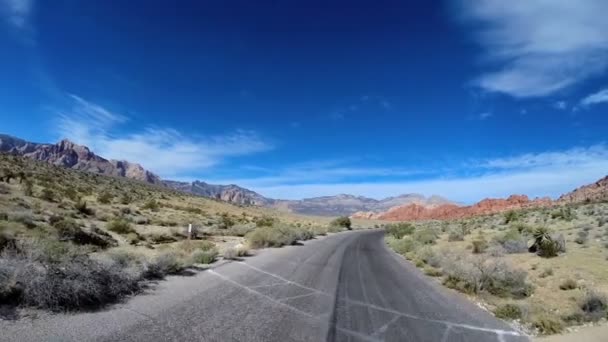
(466,99)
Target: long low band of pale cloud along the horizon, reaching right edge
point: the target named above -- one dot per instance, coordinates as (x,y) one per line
(549,173)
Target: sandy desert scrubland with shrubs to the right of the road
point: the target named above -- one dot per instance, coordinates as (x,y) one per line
(545,268)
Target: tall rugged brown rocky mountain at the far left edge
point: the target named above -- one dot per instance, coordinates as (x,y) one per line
(70,155)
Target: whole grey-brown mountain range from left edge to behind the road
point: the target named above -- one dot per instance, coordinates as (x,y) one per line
(77,157)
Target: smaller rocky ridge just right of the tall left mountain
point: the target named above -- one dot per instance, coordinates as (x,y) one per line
(229,193)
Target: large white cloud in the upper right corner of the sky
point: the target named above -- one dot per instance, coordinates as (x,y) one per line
(539,46)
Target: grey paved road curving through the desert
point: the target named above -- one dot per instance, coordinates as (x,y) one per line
(345,287)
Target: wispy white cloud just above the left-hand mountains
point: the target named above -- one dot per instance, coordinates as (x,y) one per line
(162,150)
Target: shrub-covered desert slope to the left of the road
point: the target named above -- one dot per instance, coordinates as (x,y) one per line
(72,240)
